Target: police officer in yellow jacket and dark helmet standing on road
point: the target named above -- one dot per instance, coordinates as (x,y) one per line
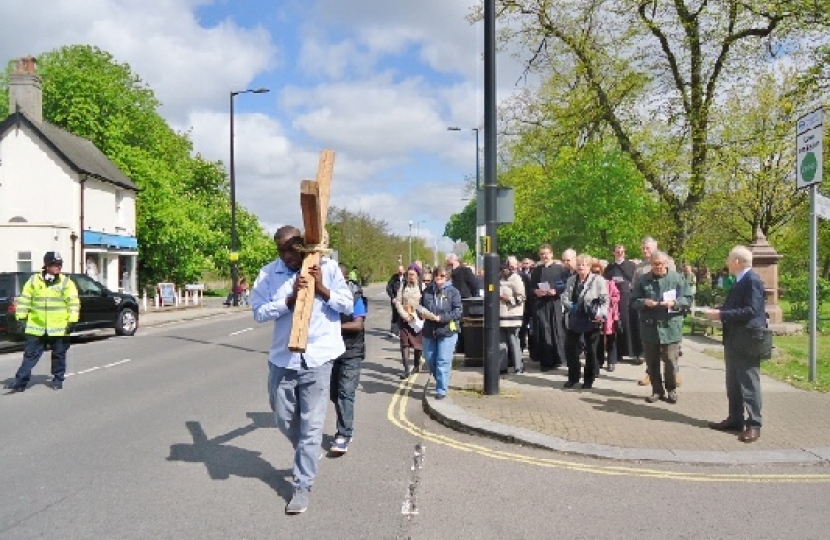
(50,307)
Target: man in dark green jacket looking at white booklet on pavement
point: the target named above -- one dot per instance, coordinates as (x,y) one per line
(661,297)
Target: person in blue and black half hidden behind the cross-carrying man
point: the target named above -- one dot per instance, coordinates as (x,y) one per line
(345,373)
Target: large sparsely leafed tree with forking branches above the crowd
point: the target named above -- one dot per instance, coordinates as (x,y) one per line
(645,59)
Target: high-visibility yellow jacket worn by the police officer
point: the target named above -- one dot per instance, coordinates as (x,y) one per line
(48,307)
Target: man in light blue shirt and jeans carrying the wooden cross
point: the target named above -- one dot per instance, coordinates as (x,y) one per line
(298,383)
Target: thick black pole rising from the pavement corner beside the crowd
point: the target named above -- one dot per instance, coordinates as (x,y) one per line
(491,257)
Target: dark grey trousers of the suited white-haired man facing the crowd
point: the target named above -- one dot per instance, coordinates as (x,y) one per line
(743,386)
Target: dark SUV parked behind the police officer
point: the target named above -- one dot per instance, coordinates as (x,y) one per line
(100,307)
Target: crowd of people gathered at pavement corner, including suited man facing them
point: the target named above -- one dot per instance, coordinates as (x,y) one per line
(583,314)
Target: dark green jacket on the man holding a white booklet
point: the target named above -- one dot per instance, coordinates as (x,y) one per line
(658,324)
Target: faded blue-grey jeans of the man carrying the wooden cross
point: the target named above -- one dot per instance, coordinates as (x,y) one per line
(299,400)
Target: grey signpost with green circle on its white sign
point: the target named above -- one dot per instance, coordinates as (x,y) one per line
(808,173)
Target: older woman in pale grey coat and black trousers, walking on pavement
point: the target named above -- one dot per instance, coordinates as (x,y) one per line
(585,302)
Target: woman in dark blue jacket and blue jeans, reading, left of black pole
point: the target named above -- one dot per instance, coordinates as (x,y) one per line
(441,309)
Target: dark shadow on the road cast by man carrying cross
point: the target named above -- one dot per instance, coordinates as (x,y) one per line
(224,460)
